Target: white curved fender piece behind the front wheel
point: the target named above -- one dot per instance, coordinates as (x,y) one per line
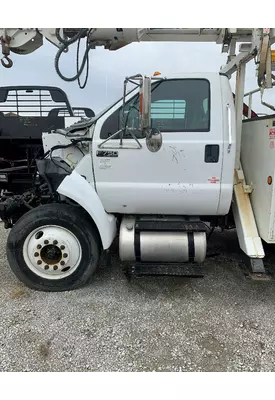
(75,187)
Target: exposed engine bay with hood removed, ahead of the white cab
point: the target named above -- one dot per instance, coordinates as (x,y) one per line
(62,152)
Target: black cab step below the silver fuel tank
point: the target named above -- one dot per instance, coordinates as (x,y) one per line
(170,269)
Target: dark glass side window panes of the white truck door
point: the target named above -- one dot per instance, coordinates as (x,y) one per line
(179,105)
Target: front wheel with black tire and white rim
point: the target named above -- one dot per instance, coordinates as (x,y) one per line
(54,248)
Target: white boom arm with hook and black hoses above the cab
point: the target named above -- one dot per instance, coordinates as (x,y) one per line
(256,43)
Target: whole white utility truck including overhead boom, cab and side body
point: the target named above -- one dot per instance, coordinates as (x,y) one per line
(160,168)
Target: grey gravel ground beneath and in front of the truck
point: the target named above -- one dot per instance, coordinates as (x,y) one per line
(223,322)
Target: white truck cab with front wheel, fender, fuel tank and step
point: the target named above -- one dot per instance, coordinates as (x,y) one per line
(155,199)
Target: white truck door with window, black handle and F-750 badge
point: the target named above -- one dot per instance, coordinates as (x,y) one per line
(184,176)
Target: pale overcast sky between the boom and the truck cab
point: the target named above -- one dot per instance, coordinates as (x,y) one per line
(108,69)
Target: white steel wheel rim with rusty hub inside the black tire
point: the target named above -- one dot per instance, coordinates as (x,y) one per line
(52,252)
